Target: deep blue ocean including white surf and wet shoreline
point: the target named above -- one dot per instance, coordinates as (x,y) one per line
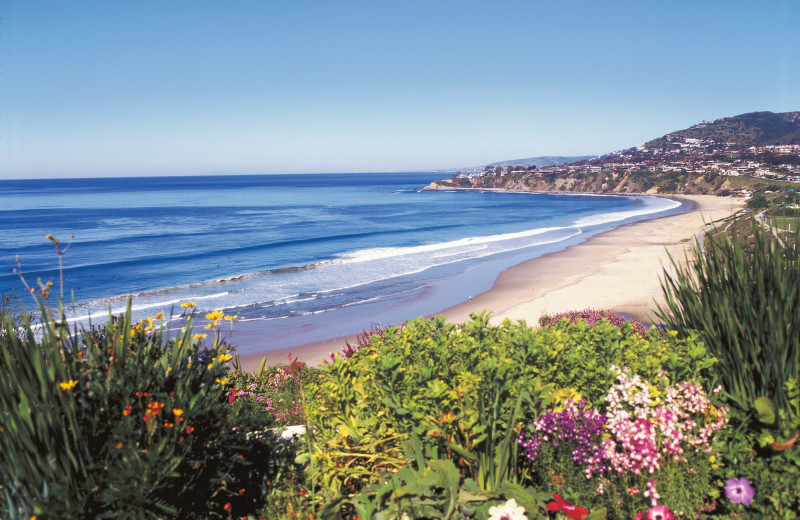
(305,257)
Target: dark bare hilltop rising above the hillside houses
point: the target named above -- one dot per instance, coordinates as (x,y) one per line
(753,129)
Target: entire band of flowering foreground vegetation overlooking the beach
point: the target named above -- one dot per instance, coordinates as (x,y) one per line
(586,416)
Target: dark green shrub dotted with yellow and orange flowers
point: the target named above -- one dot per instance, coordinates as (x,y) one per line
(93,428)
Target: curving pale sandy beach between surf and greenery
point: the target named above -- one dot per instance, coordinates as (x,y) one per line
(617,270)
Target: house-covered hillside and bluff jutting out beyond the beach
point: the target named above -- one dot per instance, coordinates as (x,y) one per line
(738,155)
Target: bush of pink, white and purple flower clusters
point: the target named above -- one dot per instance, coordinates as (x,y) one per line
(645,436)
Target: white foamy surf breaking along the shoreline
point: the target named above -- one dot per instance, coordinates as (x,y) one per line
(354,277)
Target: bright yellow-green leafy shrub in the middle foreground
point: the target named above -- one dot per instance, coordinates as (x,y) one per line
(455,387)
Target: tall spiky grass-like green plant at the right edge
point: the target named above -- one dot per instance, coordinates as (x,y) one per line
(744,302)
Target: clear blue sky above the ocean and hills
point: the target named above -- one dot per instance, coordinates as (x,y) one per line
(107,88)
